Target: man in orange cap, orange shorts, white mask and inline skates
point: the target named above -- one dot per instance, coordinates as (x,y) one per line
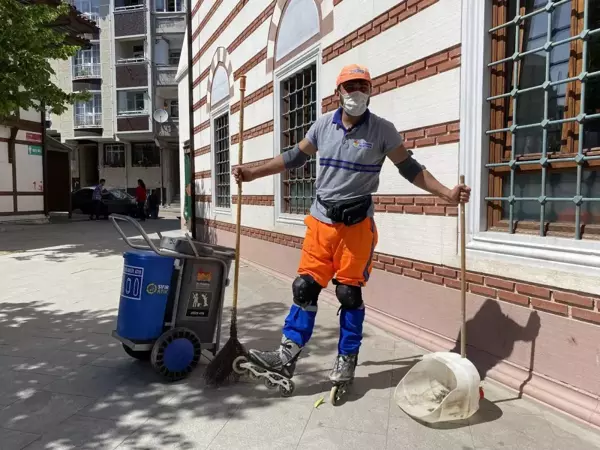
(340,231)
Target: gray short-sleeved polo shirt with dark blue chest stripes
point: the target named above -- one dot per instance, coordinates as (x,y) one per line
(349,161)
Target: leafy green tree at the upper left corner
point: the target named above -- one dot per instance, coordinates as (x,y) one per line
(29,39)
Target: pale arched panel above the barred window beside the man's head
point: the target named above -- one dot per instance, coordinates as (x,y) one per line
(299,25)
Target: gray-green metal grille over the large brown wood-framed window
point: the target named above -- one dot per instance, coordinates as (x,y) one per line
(580,159)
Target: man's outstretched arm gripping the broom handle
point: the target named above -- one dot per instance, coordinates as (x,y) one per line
(293,158)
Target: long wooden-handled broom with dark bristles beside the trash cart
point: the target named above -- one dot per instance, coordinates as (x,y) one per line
(220,368)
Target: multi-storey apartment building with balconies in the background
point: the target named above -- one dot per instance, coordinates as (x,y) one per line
(128,129)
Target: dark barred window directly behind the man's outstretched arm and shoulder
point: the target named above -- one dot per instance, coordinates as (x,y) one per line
(298,113)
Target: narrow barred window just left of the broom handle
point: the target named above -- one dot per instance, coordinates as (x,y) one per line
(222,170)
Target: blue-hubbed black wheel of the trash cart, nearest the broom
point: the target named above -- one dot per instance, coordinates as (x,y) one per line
(176,353)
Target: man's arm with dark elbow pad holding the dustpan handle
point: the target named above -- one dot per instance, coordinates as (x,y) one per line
(420,177)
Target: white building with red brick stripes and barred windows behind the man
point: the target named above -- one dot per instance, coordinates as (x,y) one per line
(502,91)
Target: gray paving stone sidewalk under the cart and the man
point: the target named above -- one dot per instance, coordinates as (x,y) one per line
(66,384)
